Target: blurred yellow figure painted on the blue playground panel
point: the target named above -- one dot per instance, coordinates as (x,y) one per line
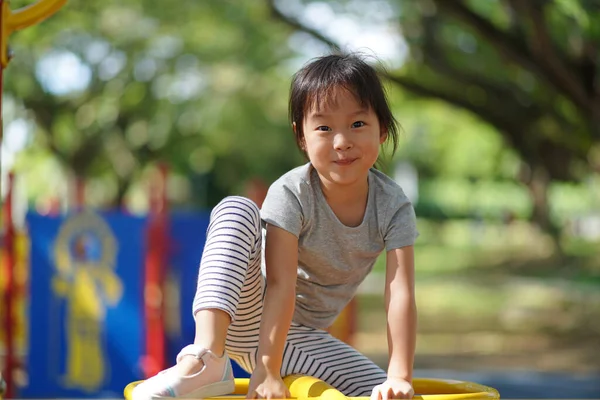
(85,253)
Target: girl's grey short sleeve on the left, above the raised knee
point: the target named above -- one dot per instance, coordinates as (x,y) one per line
(282,207)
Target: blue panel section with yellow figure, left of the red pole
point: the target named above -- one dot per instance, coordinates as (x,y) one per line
(86,328)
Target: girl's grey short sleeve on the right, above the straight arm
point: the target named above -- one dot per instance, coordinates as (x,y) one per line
(402,228)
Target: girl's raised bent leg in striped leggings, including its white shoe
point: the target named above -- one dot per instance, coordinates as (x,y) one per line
(230,261)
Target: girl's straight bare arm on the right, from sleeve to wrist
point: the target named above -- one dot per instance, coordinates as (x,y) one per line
(401,312)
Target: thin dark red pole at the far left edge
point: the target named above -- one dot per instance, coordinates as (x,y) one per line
(9,320)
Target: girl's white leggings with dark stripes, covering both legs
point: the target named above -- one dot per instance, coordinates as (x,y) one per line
(230,279)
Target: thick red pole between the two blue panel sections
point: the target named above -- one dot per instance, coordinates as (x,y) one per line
(155,269)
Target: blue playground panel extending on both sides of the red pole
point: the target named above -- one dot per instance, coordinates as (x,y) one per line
(87,299)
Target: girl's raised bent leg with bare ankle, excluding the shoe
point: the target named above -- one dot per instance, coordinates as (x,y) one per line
(229,275)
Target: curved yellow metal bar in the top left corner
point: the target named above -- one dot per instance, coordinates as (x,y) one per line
(22,18)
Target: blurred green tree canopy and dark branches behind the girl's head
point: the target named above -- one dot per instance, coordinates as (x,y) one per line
(114,87)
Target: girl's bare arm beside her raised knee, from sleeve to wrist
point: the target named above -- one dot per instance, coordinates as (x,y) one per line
(281,258)
